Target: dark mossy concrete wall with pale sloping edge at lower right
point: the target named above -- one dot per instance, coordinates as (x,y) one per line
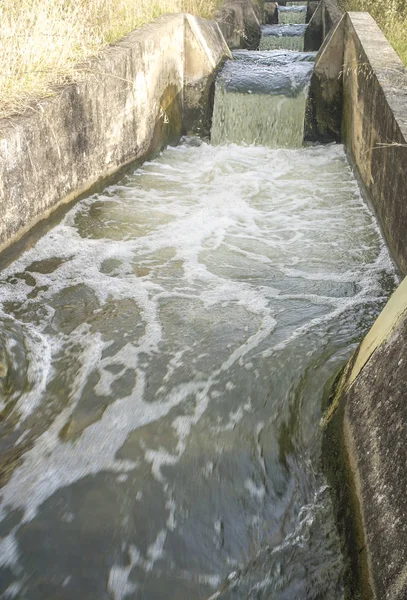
(370,416)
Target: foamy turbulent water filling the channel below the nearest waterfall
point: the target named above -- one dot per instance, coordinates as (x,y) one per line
(164,352)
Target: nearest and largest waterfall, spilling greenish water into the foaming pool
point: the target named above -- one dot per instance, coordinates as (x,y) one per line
(260,99)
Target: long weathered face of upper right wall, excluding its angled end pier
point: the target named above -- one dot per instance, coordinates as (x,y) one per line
(375,125)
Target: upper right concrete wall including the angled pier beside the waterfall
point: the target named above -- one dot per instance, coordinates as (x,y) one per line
(358,95)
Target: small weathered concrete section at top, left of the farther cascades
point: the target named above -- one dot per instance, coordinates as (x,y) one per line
(240,23)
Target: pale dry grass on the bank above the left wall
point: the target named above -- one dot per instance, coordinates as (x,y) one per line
(41,41)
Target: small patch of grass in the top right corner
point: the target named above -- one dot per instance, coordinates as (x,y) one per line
(391,15)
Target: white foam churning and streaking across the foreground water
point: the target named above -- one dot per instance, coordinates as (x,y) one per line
(228,225)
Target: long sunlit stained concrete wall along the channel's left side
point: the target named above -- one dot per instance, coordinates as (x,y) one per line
(132,100)
